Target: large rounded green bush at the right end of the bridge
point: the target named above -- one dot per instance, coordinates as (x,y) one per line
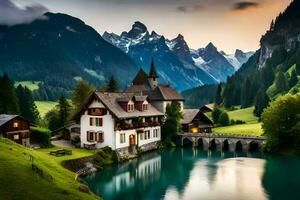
(280,122)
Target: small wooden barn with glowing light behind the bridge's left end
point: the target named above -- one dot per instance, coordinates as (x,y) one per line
(194,121)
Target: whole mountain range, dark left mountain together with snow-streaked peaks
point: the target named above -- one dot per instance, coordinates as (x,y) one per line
(59,50)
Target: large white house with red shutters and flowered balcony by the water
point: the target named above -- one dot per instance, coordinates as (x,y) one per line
(122,121)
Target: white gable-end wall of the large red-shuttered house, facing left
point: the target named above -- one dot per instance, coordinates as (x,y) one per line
(107,128)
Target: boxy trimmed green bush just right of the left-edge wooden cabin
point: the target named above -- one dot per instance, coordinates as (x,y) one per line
(41,136)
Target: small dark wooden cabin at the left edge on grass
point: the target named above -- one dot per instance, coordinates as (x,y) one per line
(16,128)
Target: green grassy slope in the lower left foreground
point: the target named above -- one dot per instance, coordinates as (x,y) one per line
(18,181)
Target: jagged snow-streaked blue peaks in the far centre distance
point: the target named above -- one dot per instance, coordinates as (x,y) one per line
(177,64)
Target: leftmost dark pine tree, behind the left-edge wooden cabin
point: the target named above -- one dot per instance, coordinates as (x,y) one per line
(8,98)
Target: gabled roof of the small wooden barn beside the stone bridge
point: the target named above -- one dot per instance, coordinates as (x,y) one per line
(190,114)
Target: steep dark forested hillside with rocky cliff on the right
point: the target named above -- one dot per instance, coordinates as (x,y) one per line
(273,70)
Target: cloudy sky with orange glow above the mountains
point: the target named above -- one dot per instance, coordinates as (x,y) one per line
(229,24)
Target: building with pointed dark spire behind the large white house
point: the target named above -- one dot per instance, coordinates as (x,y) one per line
(160,95)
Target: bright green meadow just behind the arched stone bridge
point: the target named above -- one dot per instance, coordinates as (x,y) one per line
(253,127)
